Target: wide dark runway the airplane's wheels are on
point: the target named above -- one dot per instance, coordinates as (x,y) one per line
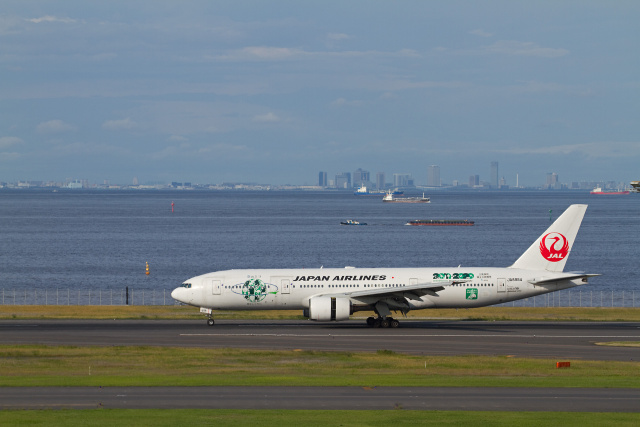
(555,340)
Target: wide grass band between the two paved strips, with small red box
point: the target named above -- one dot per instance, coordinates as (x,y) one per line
(34,365)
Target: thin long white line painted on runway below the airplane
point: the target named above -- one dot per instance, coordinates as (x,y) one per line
(410,336)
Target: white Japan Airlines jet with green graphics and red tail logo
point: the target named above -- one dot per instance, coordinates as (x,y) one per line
(333,294)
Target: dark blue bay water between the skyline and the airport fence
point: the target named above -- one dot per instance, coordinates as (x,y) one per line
(100,240)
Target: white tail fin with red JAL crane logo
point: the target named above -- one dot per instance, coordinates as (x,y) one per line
(551,250)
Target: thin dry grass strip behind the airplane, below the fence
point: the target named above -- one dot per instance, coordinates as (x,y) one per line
(190,313)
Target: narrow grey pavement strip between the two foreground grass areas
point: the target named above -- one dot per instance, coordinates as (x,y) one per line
(416,398)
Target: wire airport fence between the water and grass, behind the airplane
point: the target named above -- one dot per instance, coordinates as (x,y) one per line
(131,296)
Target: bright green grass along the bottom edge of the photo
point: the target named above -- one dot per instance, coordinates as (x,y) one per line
(279,418)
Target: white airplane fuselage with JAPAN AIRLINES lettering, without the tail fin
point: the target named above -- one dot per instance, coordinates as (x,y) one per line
(291,289)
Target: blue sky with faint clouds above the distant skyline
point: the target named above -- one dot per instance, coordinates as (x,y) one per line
(276,91)
